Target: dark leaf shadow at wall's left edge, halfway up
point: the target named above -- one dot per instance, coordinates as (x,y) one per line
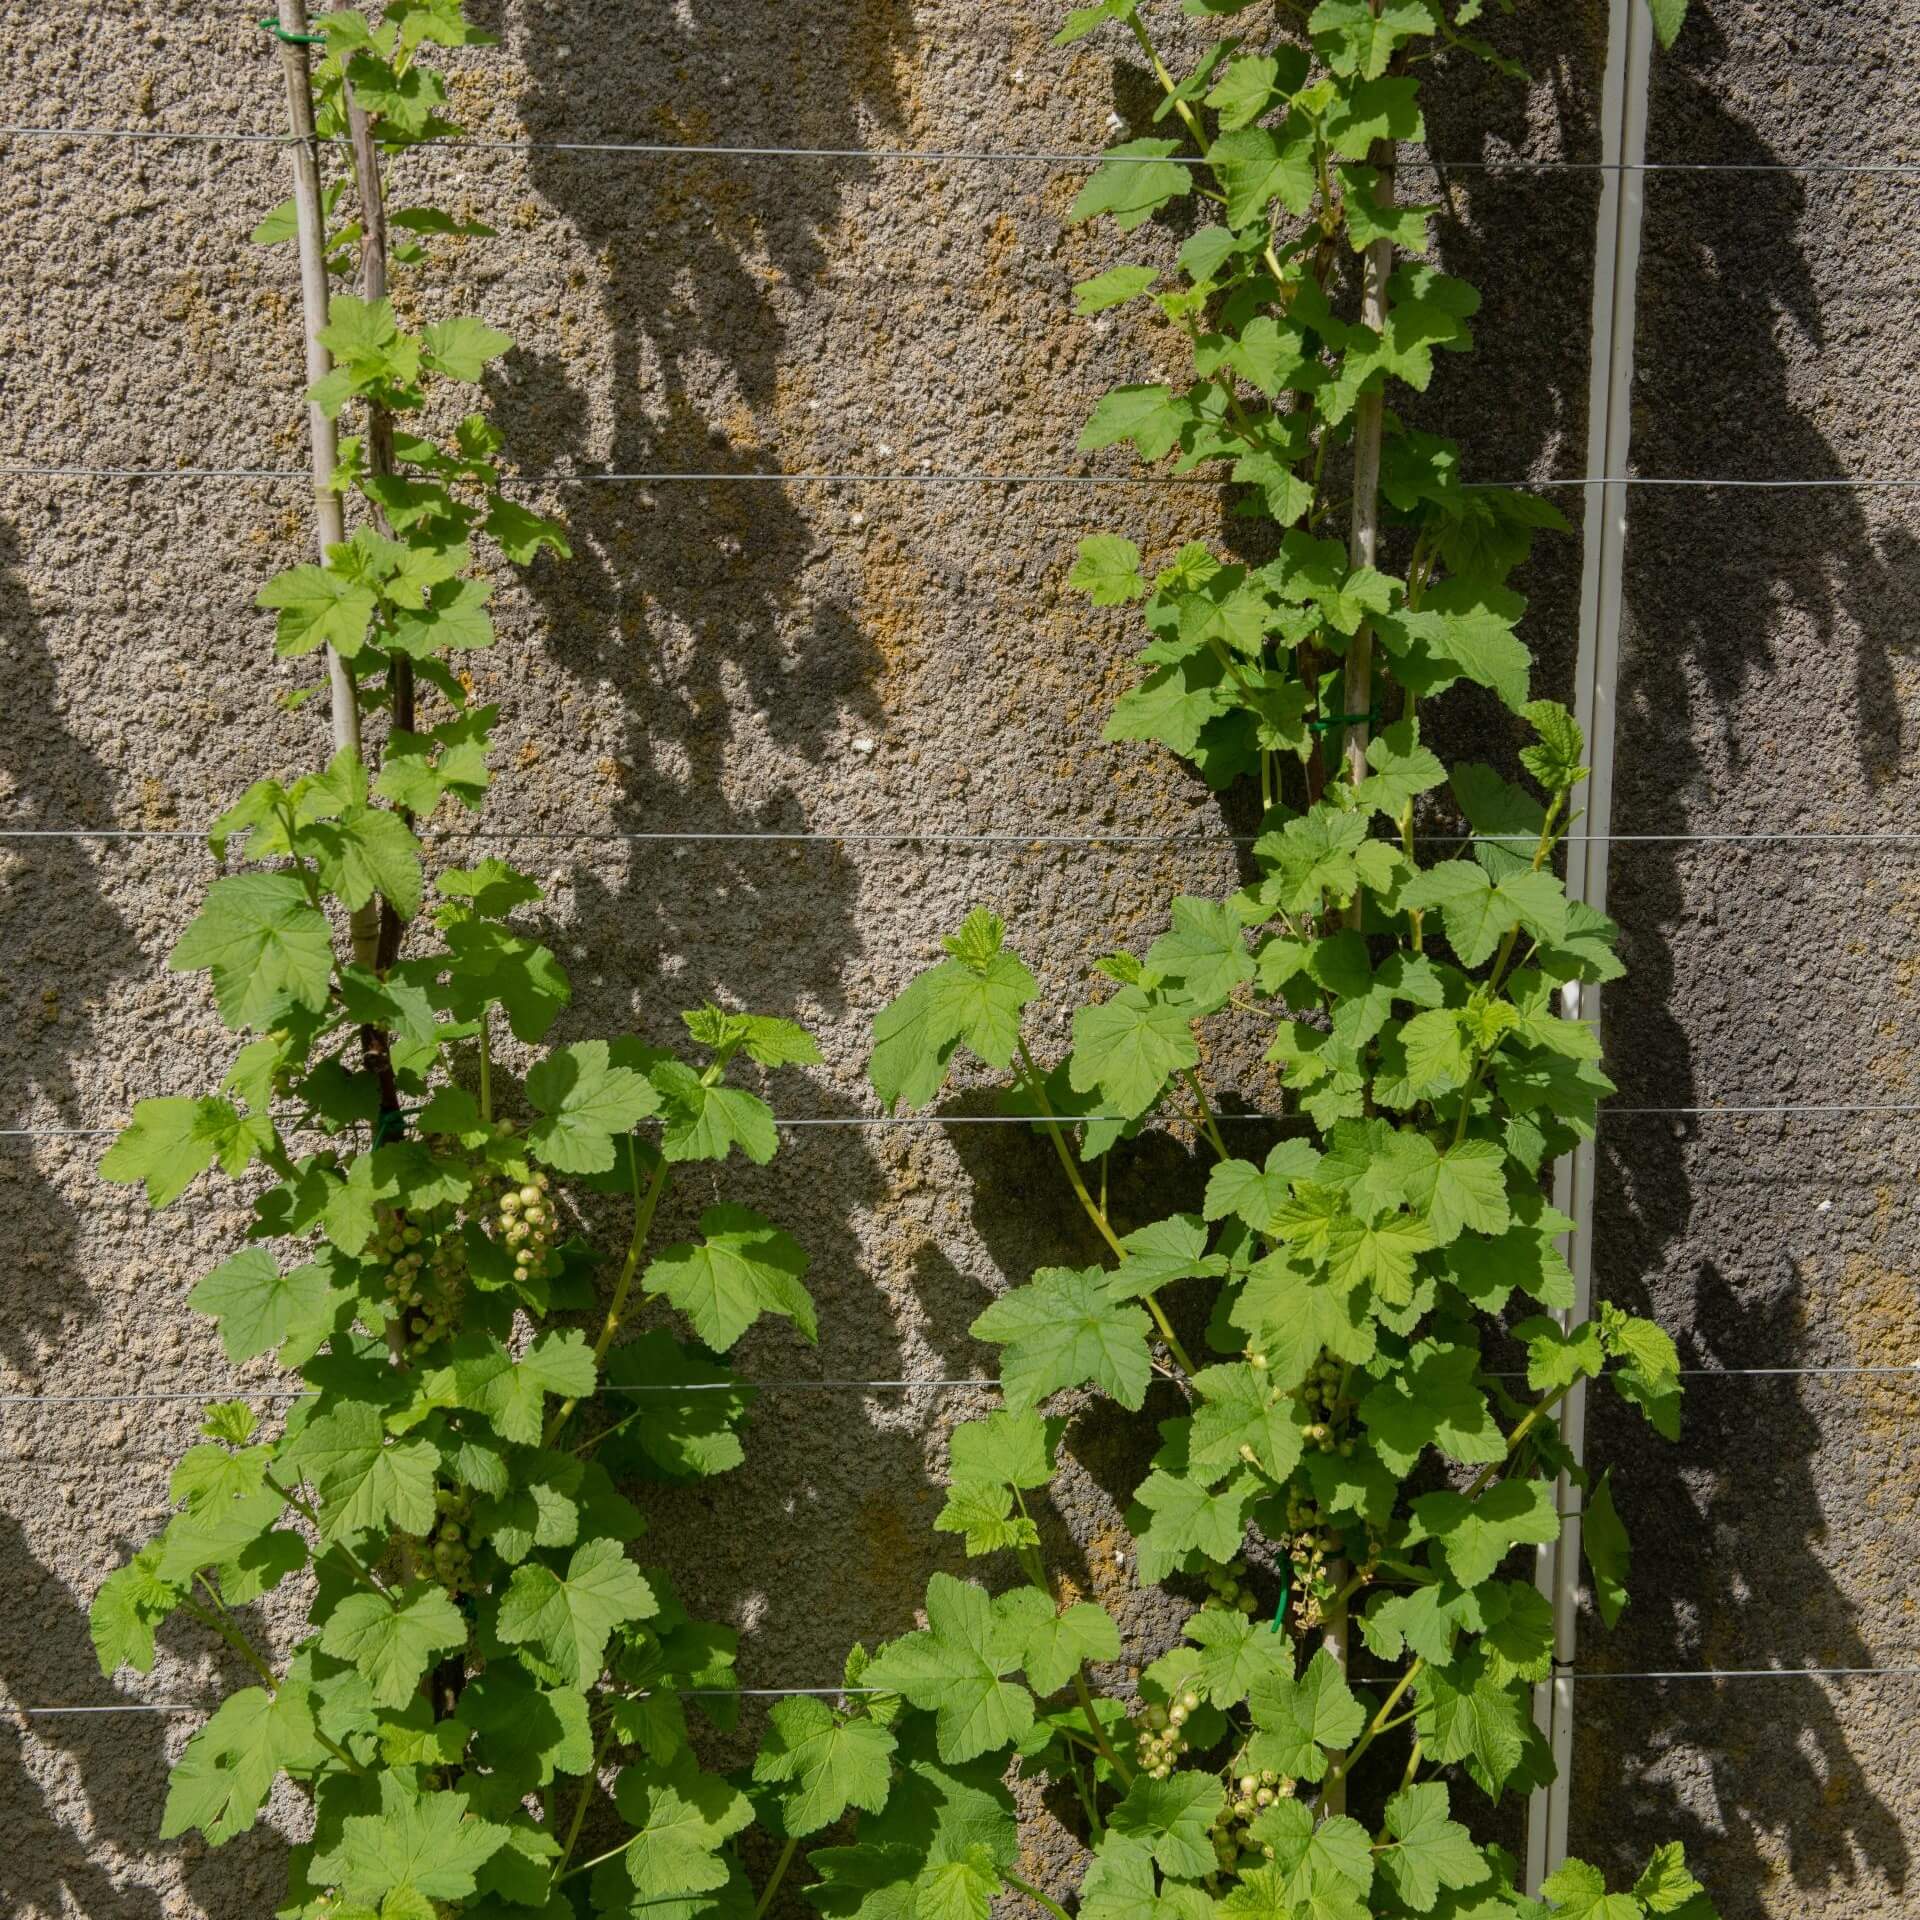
(66,944)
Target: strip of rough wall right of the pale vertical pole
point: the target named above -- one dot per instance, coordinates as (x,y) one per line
(1769,684)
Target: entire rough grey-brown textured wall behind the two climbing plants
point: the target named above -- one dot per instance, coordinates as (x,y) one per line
(867,658)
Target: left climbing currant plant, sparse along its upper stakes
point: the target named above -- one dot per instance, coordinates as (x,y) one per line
(483,1702)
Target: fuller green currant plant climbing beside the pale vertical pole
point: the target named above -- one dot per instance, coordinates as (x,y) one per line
(1356,1349)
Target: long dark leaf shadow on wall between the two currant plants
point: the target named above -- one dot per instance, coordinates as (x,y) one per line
(721,623)
